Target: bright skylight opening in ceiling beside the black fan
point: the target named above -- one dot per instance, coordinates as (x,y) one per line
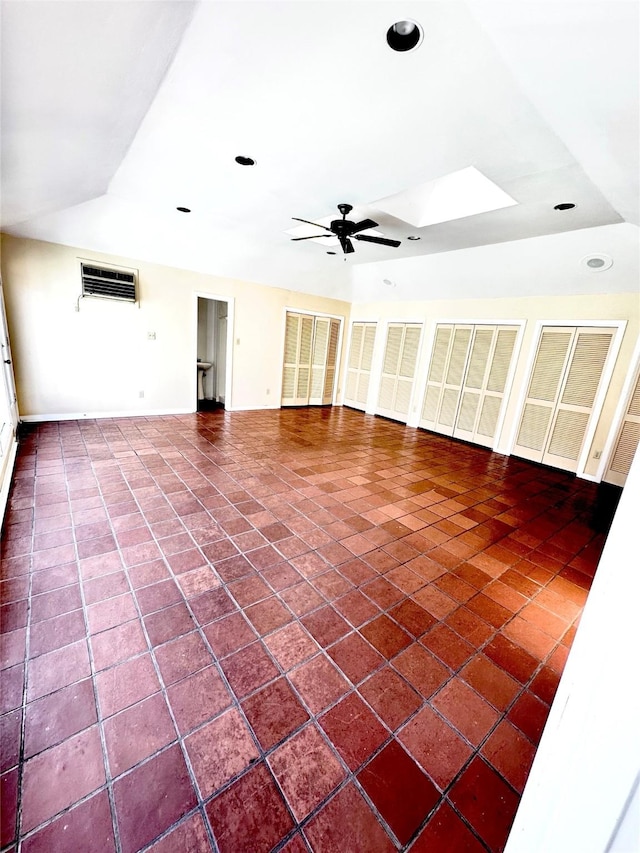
(466,192)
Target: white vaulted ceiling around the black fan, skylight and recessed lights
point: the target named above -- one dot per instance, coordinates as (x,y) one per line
(114,113)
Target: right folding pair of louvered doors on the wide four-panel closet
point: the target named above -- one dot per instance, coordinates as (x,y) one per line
(484,383)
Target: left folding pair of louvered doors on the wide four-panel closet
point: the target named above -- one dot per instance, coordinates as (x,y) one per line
(446,374)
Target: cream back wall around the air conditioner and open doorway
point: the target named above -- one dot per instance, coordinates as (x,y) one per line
(97,360)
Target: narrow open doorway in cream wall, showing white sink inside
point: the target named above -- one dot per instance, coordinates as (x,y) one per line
(211,355)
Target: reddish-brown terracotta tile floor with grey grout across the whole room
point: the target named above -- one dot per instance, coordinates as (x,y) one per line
(294,630)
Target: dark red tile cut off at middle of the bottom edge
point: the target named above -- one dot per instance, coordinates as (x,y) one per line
(347,823)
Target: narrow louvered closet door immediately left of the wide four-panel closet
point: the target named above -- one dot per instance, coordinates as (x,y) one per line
(398,371)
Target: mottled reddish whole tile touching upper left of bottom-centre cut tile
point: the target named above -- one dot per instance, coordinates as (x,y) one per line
(306,770)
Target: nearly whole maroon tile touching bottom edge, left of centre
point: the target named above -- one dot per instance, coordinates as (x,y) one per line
(151,798)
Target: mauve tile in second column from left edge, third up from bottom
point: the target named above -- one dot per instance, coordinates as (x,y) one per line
(59,715)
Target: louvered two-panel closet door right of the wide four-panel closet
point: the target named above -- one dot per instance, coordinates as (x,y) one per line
(566,376)
